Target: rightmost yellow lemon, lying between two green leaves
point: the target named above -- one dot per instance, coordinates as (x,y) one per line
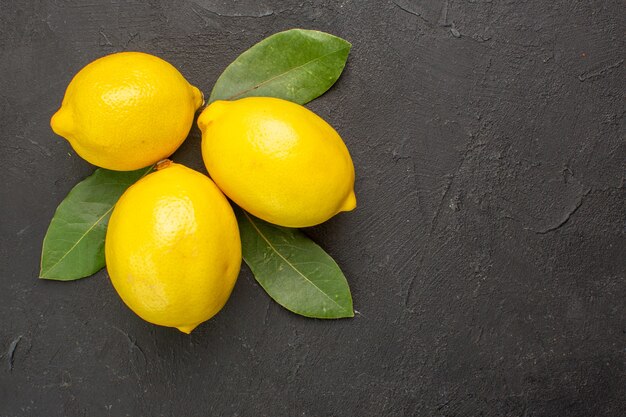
(277,160)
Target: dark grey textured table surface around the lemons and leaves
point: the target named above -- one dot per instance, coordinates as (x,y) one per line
(487,257)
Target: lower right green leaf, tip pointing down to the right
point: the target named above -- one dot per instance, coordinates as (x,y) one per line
(294,271)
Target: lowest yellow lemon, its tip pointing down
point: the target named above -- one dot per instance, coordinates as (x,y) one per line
(172,247)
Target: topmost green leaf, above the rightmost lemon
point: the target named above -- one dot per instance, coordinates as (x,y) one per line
(296,65)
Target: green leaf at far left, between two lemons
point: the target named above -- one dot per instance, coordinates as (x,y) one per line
(74,244)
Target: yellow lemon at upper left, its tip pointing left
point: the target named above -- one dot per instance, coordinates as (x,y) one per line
(126,111)
